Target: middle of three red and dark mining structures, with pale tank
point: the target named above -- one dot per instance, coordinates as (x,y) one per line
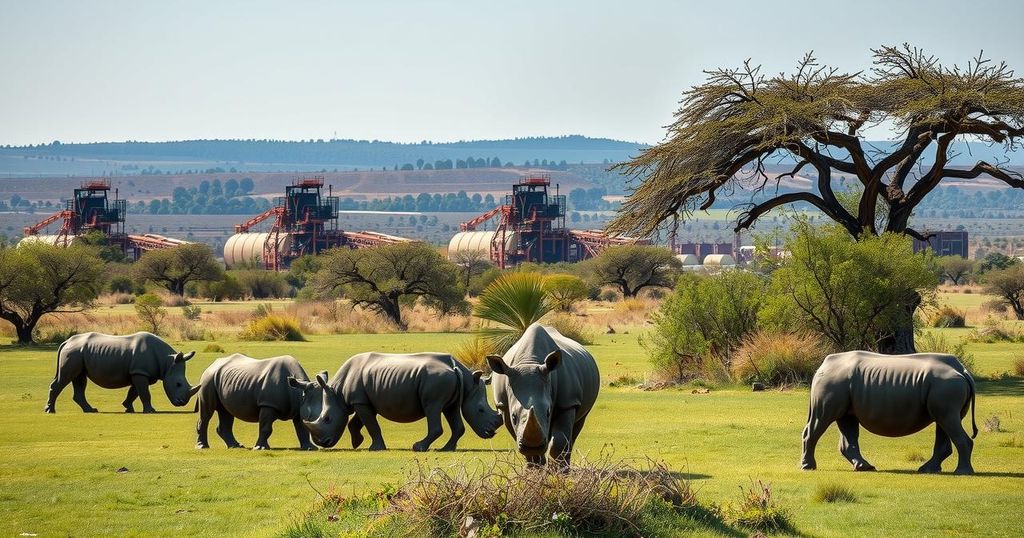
(303,223)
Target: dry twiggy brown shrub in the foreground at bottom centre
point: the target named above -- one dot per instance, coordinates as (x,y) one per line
(506,498)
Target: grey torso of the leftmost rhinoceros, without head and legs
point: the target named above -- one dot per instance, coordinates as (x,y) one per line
(111,361)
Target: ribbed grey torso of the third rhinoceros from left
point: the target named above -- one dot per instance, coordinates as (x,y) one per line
(396,386)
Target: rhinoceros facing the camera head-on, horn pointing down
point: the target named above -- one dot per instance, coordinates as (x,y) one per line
(544,388)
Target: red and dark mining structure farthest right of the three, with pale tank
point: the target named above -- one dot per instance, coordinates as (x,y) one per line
(531,227)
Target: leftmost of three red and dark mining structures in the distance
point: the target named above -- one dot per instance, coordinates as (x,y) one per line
(92,210)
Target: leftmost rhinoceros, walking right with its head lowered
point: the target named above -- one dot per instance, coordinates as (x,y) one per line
(137,361)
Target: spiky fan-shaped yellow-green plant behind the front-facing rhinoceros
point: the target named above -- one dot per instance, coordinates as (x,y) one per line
(513,304)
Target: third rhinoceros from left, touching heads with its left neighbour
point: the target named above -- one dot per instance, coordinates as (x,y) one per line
(402,389)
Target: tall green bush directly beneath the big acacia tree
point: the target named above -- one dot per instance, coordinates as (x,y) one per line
(859,294)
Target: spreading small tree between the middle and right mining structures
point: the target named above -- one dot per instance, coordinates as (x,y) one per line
(381,278)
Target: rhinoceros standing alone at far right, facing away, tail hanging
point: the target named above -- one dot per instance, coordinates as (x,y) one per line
(892,396)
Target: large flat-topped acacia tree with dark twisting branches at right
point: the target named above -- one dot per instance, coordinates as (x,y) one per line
(739,120)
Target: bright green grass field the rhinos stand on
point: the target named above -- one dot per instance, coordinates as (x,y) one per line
(59,473)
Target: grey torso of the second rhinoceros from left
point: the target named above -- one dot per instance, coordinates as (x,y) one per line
(243,385)
